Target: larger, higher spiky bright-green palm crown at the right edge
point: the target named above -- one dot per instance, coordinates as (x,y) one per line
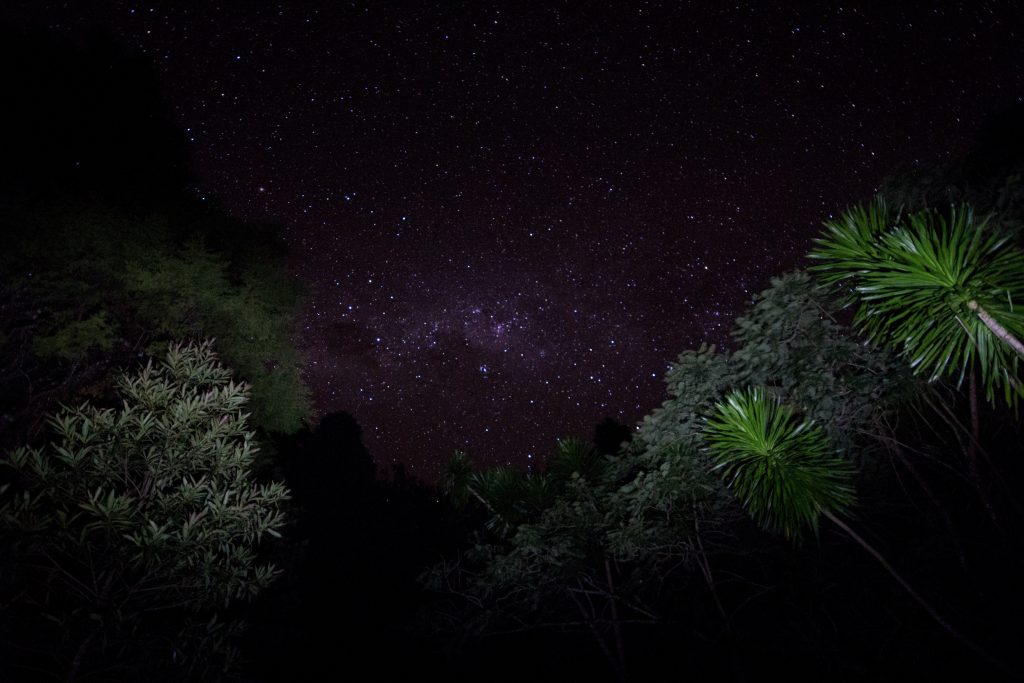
(945,291)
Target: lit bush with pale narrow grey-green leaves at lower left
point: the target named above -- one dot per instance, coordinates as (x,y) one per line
(134,527)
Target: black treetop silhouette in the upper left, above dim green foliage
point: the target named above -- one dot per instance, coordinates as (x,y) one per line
(86,118)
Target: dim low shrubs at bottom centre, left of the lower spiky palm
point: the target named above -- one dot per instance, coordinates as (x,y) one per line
(590,538)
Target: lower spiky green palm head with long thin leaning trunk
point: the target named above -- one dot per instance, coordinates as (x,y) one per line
(784,472)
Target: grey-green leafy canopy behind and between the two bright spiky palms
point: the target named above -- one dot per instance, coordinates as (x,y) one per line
(791,343)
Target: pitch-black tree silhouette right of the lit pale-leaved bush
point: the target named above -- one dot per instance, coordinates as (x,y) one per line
(350,593)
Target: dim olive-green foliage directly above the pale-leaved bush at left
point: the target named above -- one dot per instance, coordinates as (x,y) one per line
(93,288)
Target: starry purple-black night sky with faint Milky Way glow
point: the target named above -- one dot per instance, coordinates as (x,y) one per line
(510,220)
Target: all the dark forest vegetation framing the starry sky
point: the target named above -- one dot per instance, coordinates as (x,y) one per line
(834,495)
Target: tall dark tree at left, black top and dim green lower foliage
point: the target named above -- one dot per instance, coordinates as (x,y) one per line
(109,255)
